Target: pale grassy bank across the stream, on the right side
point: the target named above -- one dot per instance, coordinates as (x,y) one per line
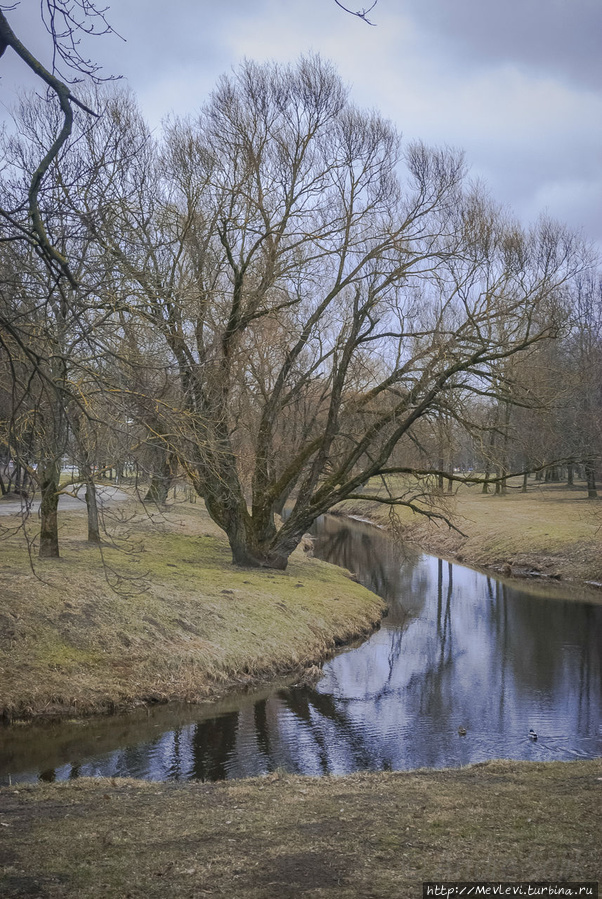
(550,533)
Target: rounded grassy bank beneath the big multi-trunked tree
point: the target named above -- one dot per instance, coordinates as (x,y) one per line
(185,625)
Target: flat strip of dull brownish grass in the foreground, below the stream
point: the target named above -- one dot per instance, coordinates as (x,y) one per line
(369,835)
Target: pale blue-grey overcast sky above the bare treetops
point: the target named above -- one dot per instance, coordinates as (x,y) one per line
(517,85)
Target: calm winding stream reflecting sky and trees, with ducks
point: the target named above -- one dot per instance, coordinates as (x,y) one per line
(458,649)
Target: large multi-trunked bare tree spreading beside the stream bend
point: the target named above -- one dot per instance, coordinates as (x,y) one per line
(279,218)
